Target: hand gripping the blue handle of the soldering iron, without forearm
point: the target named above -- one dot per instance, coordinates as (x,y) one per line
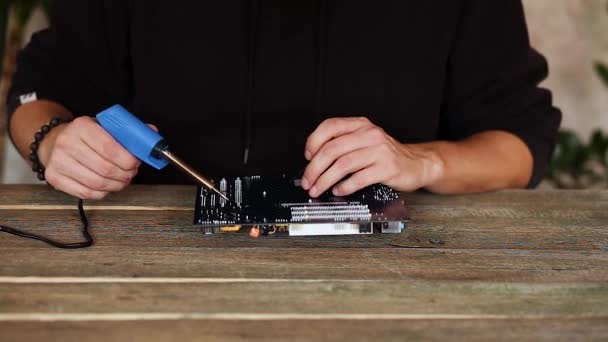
(83,160)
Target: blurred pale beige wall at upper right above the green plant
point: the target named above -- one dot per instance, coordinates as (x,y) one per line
(573,34)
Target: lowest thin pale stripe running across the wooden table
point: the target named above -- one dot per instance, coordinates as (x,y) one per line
(128,316)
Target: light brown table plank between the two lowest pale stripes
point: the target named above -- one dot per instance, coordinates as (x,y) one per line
(505,300)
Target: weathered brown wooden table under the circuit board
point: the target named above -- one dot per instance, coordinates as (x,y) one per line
(516,265)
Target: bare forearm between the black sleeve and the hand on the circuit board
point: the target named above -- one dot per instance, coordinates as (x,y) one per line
(483,162)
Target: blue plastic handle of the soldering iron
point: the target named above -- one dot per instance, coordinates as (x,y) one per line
(134,135)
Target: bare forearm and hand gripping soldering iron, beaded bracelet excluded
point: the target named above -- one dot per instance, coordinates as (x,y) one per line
(80,157)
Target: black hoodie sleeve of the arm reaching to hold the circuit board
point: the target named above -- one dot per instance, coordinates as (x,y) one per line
(493,77)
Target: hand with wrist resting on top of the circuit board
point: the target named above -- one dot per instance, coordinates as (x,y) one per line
(354,146)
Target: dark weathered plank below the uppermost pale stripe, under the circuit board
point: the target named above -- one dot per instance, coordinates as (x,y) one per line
(134,228)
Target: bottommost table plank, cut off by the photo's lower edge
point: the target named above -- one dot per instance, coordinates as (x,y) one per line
(570,330)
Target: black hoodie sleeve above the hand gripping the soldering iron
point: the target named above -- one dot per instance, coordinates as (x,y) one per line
(81,61)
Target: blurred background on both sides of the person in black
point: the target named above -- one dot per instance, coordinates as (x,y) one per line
(572,34)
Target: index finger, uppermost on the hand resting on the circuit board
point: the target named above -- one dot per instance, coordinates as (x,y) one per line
(332,128)
